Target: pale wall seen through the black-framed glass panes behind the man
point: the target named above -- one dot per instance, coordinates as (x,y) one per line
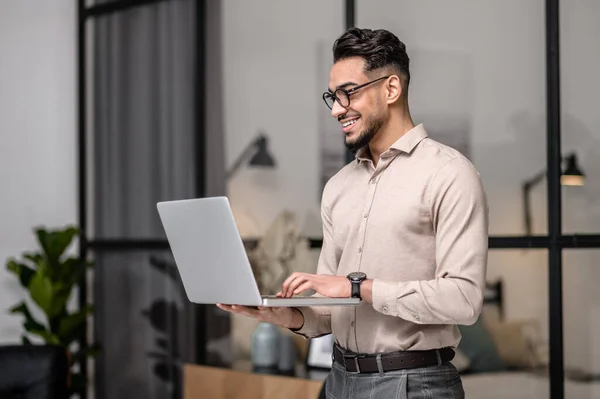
(469,69)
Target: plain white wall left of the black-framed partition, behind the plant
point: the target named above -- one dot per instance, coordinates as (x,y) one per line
(37,132)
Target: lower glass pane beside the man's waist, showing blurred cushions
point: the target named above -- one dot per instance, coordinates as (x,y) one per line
(518,336)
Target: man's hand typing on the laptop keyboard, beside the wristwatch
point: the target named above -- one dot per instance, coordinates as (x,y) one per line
(326,285)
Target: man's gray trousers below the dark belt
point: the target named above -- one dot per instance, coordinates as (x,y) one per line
(431,382)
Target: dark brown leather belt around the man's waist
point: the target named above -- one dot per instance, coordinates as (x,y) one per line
(363,363)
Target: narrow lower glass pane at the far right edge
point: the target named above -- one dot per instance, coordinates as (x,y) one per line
(581,321)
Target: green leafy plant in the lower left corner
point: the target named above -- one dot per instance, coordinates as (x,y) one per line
(50,275)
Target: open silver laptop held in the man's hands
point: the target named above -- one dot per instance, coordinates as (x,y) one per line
(211,258)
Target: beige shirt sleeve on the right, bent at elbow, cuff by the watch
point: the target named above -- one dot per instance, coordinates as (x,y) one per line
(459,214)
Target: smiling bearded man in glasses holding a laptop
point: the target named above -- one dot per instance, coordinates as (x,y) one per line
(404,227)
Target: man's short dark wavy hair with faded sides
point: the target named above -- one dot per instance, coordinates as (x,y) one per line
(379,48)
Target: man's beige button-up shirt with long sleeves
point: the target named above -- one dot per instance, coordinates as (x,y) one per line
(417,224)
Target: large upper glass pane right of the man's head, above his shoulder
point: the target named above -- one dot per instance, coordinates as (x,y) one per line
(480,87)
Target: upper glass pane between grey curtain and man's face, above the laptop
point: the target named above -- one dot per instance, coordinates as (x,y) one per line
(276,58)
